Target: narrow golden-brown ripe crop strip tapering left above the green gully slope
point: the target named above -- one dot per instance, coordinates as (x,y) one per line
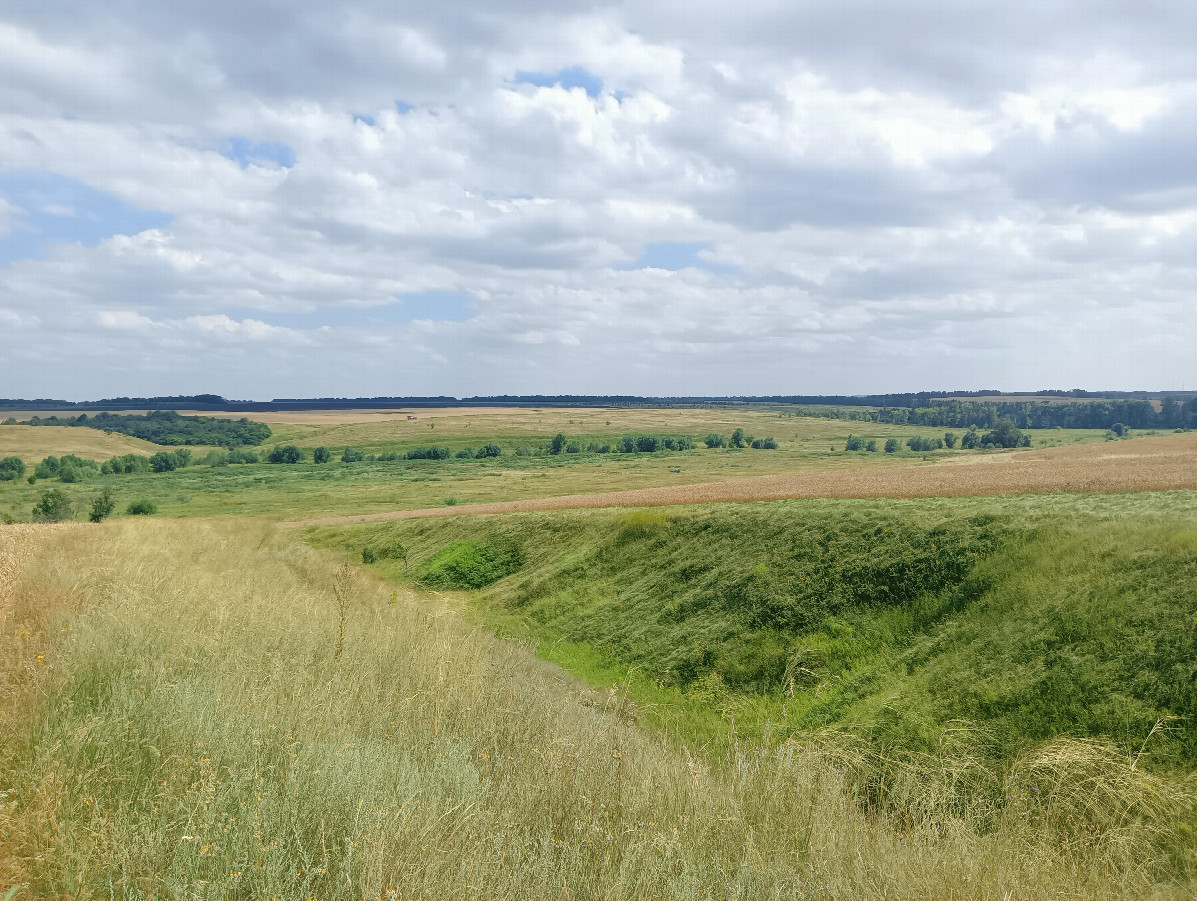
(1164,464)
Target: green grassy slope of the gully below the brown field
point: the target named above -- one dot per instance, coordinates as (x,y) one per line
(1010,622)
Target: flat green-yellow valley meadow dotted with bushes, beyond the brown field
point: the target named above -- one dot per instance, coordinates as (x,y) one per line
(309,491)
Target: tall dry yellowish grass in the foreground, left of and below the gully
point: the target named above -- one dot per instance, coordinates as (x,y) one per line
(210,733)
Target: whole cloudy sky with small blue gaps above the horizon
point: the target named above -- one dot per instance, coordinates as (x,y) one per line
(265,199)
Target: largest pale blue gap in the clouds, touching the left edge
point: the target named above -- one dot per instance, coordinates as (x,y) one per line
(56,210)
